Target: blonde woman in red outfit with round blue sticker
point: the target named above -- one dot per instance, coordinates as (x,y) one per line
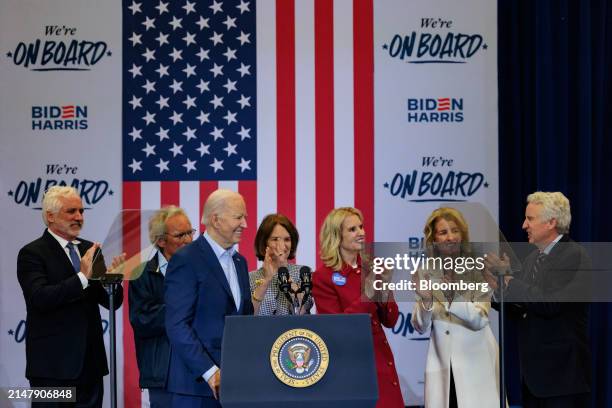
(337,289)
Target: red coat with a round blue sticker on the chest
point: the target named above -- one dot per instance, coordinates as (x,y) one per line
(332,297)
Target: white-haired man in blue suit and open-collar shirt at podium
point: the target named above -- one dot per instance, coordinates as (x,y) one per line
(206,281)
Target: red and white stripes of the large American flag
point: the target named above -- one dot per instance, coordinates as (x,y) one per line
(315,115)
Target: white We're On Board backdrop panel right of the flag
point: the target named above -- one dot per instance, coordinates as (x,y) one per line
(423,139)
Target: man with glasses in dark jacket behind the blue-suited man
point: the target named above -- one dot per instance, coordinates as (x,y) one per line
(169,230)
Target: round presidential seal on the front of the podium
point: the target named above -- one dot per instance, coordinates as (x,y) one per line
(299,358)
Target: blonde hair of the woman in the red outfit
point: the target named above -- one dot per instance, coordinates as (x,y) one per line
(331,236)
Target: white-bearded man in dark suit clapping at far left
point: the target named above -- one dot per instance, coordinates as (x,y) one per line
(64,343)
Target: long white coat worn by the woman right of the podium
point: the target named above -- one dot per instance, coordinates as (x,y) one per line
(462,338)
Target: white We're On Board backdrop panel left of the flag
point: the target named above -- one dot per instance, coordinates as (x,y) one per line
(40,146)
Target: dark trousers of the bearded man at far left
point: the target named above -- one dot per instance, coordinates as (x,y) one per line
(88,395)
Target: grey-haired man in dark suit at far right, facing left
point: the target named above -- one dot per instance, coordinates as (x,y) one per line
(552,329)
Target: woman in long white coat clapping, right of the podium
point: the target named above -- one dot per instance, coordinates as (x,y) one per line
(462,360)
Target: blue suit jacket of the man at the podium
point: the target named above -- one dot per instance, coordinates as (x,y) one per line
(198,297)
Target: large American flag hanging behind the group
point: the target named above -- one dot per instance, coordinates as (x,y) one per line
(273,99)
